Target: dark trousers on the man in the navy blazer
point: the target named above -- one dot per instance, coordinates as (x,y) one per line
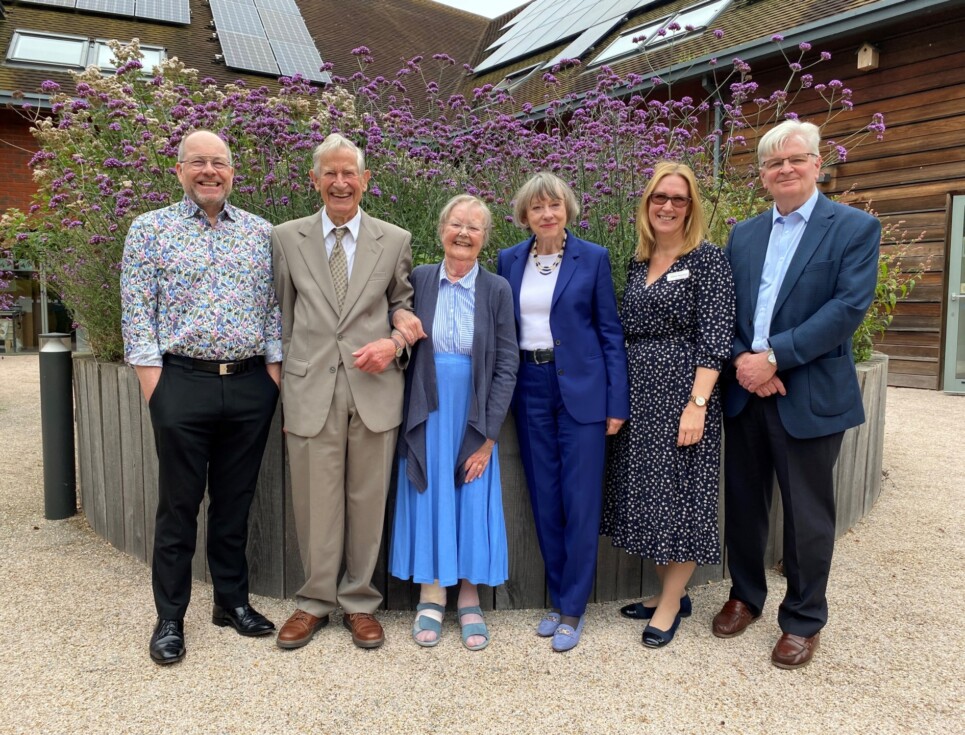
(756,447)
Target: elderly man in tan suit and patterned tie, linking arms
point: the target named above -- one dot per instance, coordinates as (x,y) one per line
(340,277)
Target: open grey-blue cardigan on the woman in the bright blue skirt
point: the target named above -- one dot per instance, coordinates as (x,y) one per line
(495,360)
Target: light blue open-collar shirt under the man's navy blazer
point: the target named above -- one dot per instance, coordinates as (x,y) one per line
(786,234)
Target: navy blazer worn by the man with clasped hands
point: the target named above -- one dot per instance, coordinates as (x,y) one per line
(824,296)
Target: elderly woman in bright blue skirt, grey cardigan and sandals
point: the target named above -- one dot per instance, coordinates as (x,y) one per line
(448,524)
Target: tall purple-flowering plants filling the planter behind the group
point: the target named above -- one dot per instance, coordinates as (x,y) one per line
(108,149)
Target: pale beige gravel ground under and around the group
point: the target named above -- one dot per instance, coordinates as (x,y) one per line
(76,615)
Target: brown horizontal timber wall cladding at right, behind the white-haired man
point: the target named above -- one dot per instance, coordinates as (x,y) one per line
(919,86)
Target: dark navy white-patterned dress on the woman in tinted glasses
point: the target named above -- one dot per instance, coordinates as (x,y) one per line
(660,500)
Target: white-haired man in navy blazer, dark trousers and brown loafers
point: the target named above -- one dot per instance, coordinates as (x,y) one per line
(804,273)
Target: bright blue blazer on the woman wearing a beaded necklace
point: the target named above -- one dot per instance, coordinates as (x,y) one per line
(589,350)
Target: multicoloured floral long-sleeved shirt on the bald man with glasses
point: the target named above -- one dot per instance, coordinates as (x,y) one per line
(197,290)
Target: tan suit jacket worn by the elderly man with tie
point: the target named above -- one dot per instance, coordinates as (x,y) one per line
(315,337)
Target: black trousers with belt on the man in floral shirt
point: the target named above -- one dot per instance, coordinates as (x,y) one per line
(209,430)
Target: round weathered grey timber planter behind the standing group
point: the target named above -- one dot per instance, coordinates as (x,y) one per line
(118,491)
